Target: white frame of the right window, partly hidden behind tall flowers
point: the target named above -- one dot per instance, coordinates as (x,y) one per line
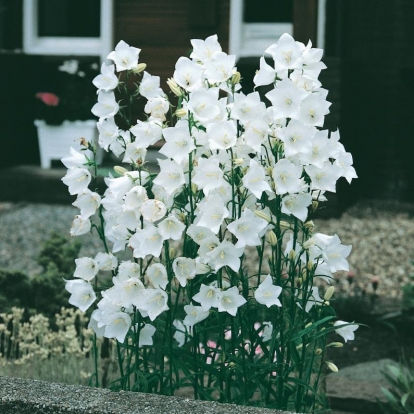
(252,39)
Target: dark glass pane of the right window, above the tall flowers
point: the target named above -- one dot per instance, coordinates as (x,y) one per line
(268,11)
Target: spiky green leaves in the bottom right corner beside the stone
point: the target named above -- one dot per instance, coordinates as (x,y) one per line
(400,395)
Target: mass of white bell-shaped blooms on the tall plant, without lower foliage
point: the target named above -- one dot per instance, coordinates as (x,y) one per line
(228,157)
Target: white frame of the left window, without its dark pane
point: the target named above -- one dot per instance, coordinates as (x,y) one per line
(67,46)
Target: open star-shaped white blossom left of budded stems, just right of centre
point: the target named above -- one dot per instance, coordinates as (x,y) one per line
(247,229)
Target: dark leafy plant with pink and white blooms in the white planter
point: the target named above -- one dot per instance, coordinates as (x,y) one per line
(69,93)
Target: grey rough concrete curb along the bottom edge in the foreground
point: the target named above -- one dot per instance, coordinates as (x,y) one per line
(39,397)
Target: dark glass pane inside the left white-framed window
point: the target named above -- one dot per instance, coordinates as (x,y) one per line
(69,18)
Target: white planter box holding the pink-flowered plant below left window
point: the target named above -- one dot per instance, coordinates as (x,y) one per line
(55,140)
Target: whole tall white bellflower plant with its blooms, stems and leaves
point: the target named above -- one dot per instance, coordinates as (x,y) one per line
(220,289)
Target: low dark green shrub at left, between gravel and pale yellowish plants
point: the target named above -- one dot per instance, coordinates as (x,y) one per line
(44,293)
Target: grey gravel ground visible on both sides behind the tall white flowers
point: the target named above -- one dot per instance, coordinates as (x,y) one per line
(381,233)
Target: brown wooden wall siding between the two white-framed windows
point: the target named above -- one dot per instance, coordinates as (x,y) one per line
(163,28)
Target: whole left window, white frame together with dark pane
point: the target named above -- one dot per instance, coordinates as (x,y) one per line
(67,27)
